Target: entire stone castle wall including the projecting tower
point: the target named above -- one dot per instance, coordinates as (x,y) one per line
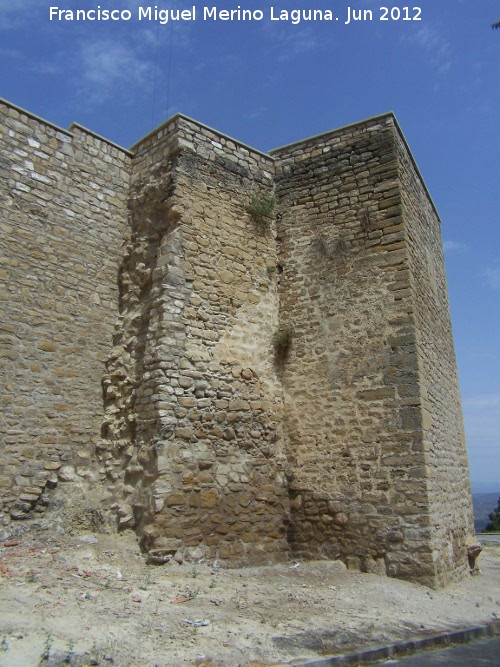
(169,291)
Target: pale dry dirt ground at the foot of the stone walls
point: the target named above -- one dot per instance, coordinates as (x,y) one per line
(90,599)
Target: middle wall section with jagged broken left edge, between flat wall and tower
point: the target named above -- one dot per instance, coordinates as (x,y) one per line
(194,439)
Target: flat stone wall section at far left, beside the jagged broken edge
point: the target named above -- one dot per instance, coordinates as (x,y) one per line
(63,220)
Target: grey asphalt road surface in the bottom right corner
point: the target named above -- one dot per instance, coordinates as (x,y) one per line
(481,653)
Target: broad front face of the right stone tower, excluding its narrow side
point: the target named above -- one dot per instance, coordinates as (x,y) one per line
(359,487)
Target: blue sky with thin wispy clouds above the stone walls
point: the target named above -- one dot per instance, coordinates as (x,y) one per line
(269,83)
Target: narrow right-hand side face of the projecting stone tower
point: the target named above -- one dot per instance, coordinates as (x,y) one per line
(439,405)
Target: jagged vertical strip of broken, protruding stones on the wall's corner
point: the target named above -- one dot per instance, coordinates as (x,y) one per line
(148,343)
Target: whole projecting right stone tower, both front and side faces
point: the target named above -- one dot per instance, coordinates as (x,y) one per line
(363,287)
